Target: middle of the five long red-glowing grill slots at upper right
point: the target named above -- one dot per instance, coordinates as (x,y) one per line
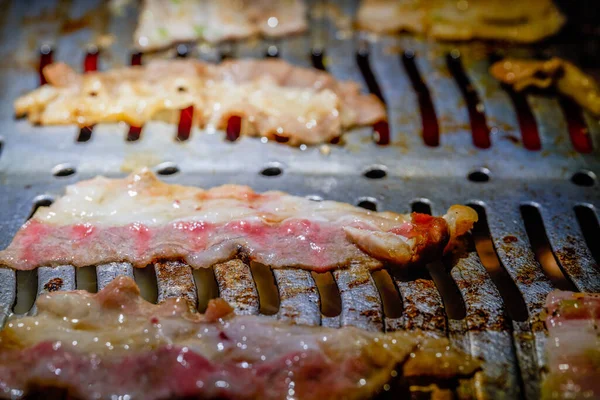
(479,128)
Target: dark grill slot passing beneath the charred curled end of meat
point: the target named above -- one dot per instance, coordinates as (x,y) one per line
(453,301)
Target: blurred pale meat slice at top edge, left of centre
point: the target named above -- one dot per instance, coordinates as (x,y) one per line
(162,23)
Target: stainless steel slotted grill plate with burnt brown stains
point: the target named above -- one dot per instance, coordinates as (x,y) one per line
(37,162)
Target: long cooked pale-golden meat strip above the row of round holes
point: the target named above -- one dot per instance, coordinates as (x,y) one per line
(274,98)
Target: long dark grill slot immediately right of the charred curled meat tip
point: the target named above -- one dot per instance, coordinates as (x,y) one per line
(511,296)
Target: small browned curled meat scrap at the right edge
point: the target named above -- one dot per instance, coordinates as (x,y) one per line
(555,73)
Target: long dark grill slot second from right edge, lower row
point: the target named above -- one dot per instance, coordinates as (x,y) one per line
(541,248)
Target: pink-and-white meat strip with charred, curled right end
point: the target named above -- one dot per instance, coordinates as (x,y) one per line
(139,219)
